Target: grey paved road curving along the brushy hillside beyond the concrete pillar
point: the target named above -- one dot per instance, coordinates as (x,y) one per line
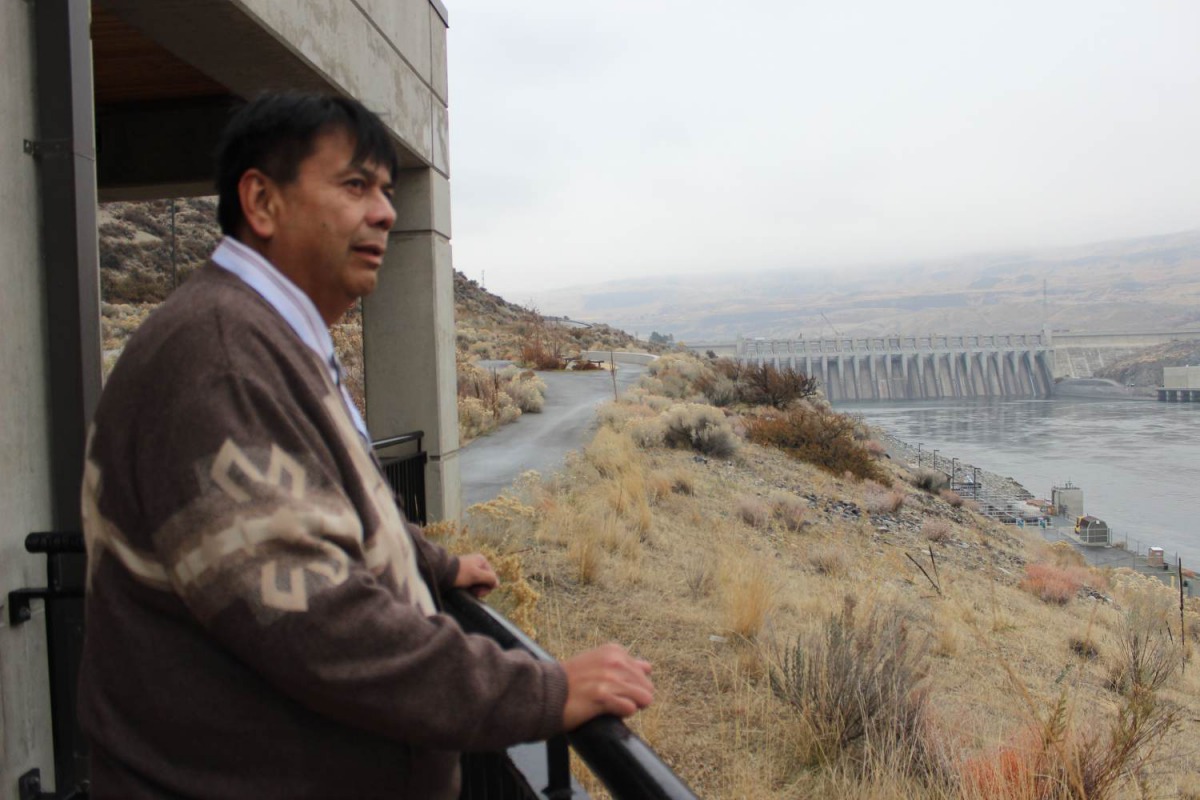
(541,442)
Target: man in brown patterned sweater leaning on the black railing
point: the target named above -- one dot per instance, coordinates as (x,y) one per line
(261,619)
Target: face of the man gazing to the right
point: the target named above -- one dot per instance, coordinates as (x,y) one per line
(332,226)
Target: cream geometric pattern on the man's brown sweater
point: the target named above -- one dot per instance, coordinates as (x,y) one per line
(328,521)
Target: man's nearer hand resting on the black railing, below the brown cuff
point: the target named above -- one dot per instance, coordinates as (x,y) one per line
(605,681)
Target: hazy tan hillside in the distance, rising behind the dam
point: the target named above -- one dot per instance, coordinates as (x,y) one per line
(1124,285)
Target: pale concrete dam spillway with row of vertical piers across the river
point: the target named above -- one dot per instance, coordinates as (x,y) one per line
(916,368)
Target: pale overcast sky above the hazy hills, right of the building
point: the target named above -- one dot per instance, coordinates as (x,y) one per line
(593,141)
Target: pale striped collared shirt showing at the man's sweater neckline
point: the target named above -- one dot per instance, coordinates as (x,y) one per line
(295,306)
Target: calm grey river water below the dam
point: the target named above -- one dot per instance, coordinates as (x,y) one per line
(1138,462)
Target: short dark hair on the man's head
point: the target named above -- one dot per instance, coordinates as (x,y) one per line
(277,131)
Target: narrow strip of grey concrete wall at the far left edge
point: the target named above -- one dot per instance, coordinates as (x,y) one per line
(25,452)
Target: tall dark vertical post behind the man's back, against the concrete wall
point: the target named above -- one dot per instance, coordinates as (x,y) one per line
(65,152)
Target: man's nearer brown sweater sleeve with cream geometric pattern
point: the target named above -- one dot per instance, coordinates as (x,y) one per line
(267,551)
